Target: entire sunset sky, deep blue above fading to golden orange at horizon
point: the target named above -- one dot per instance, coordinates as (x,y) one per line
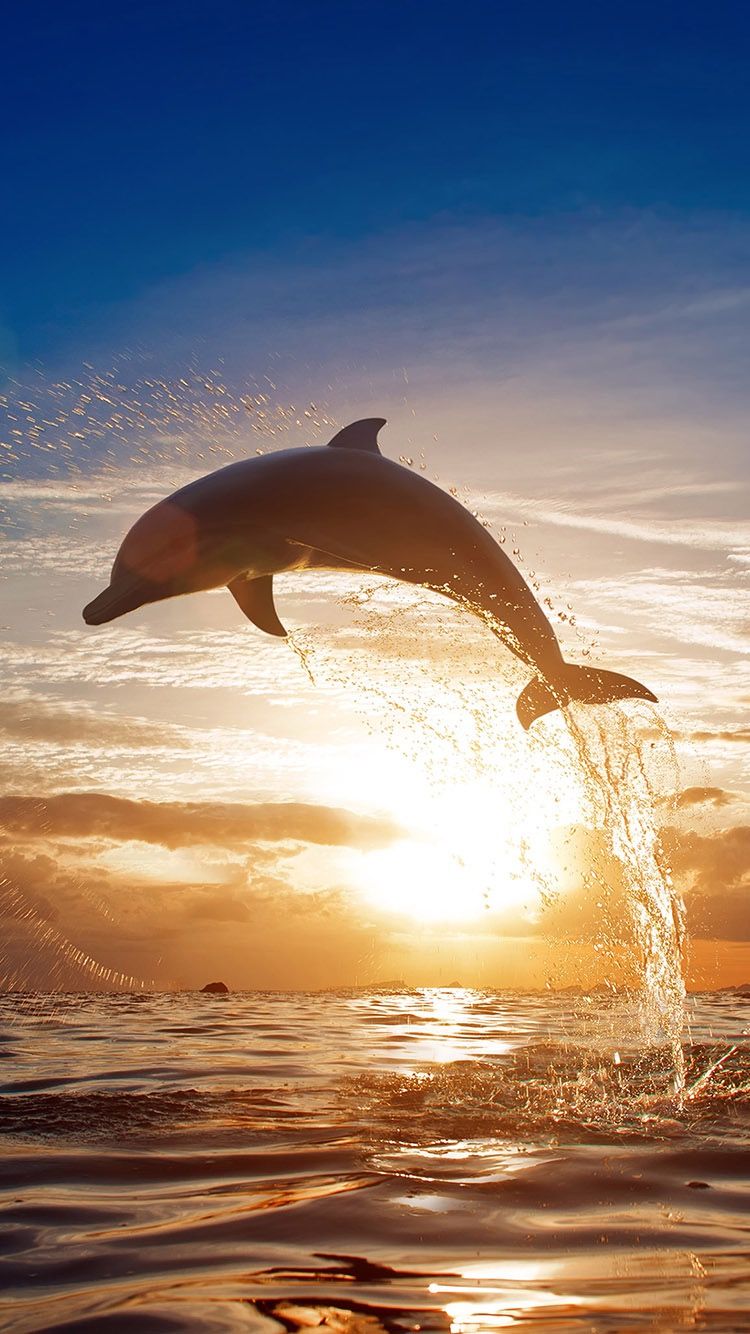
(520,234)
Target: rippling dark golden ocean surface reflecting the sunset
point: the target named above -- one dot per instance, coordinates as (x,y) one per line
(433,1160)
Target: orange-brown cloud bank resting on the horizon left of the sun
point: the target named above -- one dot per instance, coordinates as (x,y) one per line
(66,930)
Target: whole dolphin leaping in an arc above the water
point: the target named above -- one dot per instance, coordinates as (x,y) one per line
(344,506)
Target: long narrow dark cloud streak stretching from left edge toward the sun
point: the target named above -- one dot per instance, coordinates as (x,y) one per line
(81,816)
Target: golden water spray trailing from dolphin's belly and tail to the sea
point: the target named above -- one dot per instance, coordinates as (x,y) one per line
(450,713)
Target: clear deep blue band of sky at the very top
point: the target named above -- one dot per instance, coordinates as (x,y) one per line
(145,143)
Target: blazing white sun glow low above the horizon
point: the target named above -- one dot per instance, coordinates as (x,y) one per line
(477,837)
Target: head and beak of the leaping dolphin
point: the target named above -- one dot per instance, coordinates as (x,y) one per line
(169,552)
